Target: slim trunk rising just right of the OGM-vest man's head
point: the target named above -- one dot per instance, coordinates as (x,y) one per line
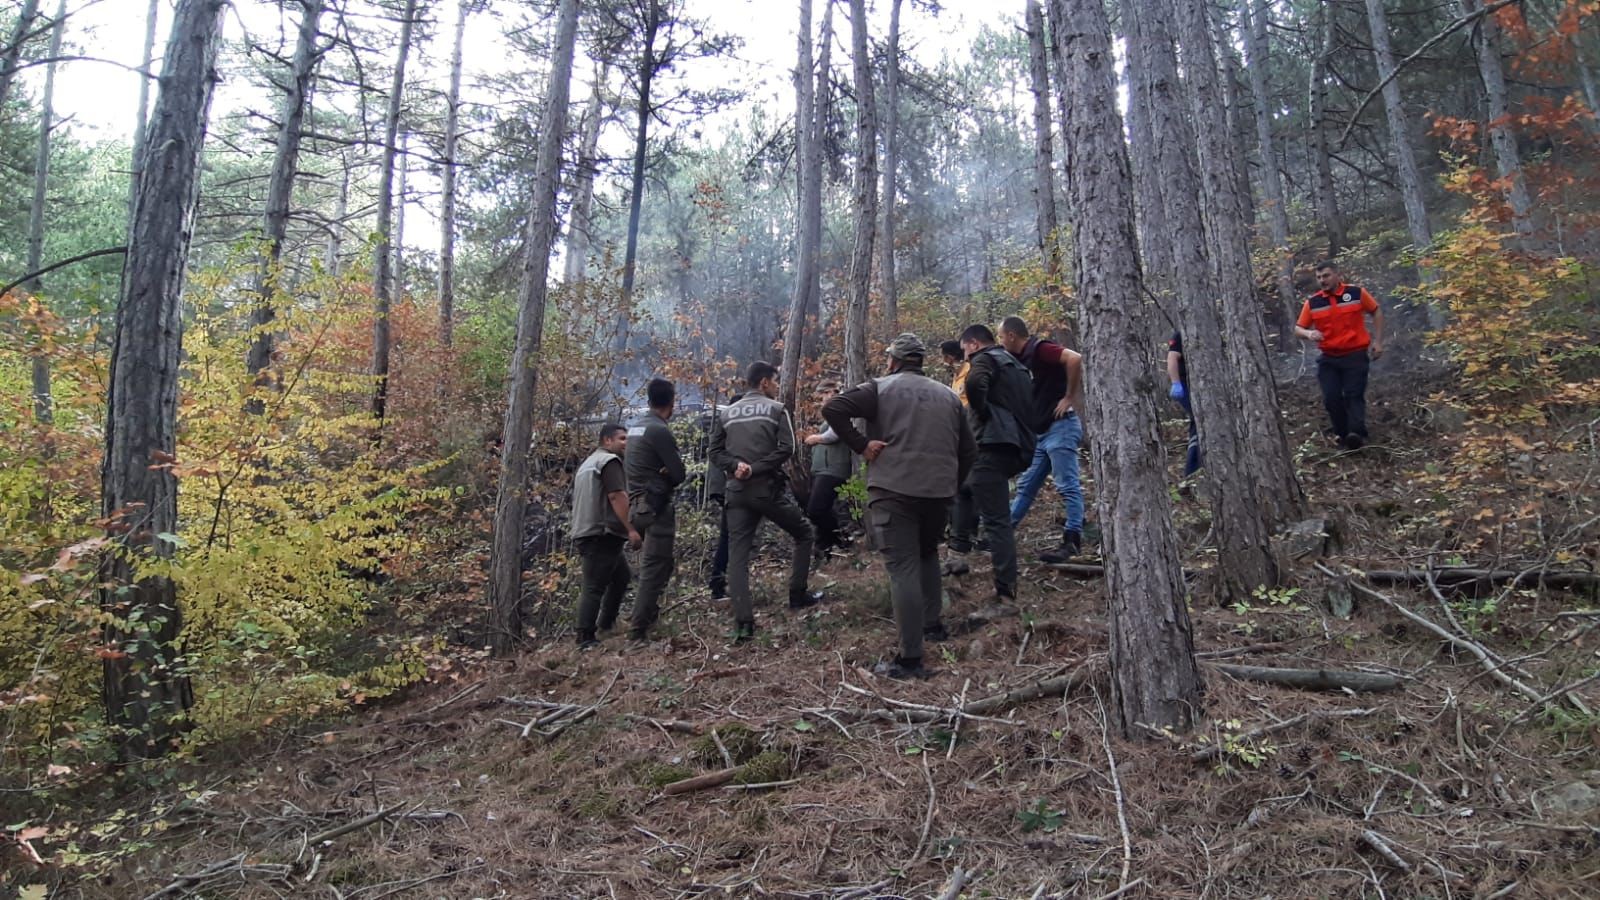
(810,183)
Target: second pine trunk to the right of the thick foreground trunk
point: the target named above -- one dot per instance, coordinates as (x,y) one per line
(1273,467)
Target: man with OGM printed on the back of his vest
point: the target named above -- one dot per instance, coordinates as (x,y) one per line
(751,443)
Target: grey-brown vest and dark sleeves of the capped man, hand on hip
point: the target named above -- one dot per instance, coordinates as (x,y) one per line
(930,443)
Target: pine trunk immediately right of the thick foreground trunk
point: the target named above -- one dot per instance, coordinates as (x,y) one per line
(1239,518)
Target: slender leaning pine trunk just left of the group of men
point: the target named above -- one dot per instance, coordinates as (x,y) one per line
(511,499)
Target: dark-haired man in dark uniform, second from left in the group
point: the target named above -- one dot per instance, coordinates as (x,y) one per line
(655,470)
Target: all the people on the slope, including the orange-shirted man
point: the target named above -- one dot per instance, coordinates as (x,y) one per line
(1014,414)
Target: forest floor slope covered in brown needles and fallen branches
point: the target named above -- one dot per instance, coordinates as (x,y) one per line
(545,776)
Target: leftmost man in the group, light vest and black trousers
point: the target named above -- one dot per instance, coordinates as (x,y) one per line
(601,526)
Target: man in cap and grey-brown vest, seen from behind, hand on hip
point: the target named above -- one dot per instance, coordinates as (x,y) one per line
(919,451)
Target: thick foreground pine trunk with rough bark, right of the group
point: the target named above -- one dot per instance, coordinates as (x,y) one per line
(1154,675)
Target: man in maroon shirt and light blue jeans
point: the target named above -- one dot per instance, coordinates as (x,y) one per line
(1058,385)
